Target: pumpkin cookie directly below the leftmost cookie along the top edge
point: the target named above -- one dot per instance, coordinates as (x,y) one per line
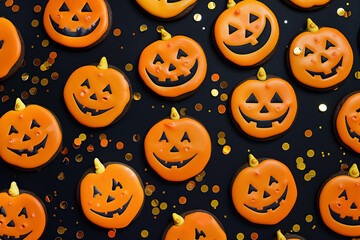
(98,95)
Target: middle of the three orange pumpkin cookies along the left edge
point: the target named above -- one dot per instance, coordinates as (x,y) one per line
(30,136)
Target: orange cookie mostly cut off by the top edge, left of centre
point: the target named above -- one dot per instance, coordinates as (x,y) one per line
(167,9)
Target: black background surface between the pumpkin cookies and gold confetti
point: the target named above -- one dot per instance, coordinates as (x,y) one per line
(141,116)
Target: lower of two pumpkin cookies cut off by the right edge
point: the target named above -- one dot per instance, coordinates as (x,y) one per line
(339,202)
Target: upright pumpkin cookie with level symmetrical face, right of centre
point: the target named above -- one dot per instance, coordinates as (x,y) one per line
(263,107)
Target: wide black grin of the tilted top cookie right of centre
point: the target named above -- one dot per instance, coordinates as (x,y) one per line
(248,48)
